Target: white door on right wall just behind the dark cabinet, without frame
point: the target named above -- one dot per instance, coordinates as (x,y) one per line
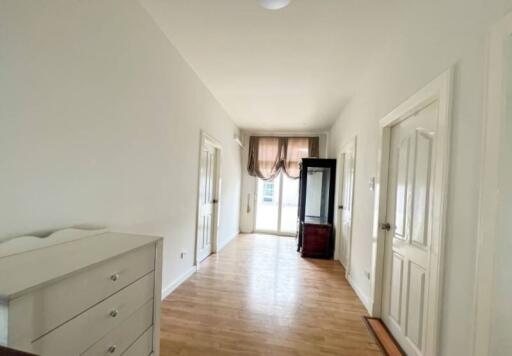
(345,204)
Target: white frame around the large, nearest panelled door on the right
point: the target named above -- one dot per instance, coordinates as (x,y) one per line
(439,90)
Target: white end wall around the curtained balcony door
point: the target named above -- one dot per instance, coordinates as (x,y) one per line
(248,205)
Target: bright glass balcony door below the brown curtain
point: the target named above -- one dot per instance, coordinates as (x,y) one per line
(277,205)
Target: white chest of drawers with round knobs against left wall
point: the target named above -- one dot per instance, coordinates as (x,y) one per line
(93,295)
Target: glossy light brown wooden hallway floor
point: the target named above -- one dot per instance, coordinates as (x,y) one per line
(258,297)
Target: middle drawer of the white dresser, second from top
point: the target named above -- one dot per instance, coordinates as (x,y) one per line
(75,336)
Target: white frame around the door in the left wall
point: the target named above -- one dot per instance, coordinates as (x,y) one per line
(207,139)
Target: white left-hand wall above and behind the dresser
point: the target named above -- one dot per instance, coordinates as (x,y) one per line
(100,121)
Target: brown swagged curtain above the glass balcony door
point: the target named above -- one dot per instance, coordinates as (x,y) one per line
(268,155)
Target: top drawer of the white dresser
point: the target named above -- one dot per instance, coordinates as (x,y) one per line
(46,308)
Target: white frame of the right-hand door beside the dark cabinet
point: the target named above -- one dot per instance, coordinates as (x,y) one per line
(350,145)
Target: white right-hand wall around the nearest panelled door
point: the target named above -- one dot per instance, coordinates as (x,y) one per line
(427,38)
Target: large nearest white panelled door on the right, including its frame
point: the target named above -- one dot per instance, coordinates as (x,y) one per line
(410,219)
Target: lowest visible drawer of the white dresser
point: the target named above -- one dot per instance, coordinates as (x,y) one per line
(121,338)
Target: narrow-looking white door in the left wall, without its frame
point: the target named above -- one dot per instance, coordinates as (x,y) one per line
(207,201)
